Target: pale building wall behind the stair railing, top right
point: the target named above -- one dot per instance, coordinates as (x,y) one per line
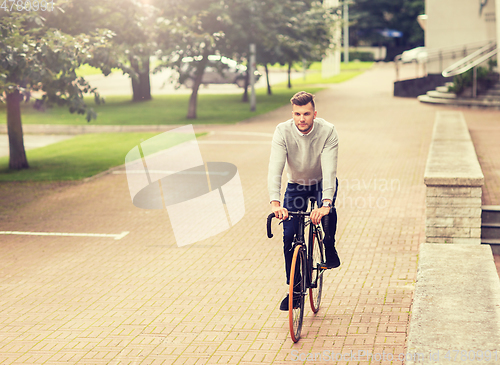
(454,23)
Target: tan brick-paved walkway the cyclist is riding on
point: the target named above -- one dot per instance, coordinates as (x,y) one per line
(143,300)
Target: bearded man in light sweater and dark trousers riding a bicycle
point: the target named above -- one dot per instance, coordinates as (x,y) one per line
(309,147)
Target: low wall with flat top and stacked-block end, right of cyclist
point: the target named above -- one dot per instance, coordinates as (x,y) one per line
(454,181)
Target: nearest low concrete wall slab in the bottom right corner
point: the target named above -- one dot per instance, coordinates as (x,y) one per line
(455,306)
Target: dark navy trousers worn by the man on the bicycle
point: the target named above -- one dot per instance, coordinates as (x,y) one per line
(296,199)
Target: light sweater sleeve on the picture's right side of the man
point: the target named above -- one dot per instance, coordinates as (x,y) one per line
(329,156)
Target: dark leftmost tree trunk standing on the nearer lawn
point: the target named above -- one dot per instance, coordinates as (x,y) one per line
(17,160)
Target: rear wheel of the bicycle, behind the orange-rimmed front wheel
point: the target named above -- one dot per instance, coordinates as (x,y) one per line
(317,256)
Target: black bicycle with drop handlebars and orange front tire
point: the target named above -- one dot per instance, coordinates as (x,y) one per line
(306,263)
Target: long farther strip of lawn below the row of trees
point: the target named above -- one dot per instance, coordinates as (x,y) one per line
(162,110)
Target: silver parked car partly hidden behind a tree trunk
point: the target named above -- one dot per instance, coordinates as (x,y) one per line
(219,70)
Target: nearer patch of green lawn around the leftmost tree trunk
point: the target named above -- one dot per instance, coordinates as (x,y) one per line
(79,157)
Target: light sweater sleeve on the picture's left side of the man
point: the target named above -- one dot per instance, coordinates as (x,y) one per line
(276,165)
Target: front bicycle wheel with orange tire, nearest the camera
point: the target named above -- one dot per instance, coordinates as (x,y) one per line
(296,293)
